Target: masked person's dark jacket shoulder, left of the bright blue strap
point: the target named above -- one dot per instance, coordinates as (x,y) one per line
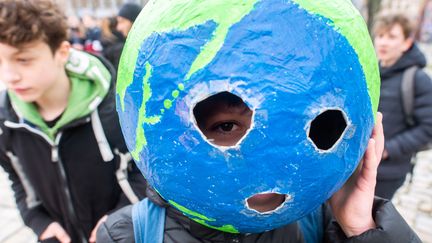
(118,227)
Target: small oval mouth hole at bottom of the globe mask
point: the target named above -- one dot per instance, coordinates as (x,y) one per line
(266,203)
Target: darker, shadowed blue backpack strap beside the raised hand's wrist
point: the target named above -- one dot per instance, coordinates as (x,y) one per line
(312,226)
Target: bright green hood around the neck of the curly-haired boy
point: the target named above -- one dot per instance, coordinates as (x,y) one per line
(90,82)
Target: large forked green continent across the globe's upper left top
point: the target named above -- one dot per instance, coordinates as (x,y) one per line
(159,16)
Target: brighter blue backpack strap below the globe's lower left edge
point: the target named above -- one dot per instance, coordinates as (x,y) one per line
(148,222)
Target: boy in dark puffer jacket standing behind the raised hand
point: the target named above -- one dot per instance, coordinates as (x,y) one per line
(397,53)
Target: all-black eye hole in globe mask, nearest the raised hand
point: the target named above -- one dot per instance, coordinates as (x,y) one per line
(327,129)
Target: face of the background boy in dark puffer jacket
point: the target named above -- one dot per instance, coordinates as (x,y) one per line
(391,44)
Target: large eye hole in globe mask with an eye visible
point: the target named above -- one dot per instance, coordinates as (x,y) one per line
(224,119)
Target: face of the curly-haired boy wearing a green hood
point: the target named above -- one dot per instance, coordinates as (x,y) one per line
(32,70)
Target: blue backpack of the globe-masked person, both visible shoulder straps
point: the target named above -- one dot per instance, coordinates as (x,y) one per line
(149,221)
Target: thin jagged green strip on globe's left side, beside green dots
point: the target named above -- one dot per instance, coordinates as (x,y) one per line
(141,141)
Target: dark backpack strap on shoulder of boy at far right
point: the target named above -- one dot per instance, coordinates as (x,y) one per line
(408,93)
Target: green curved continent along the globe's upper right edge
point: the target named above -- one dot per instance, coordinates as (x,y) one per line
(348,22)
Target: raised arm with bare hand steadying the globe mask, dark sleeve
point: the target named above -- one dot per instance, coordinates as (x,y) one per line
(357,218)
